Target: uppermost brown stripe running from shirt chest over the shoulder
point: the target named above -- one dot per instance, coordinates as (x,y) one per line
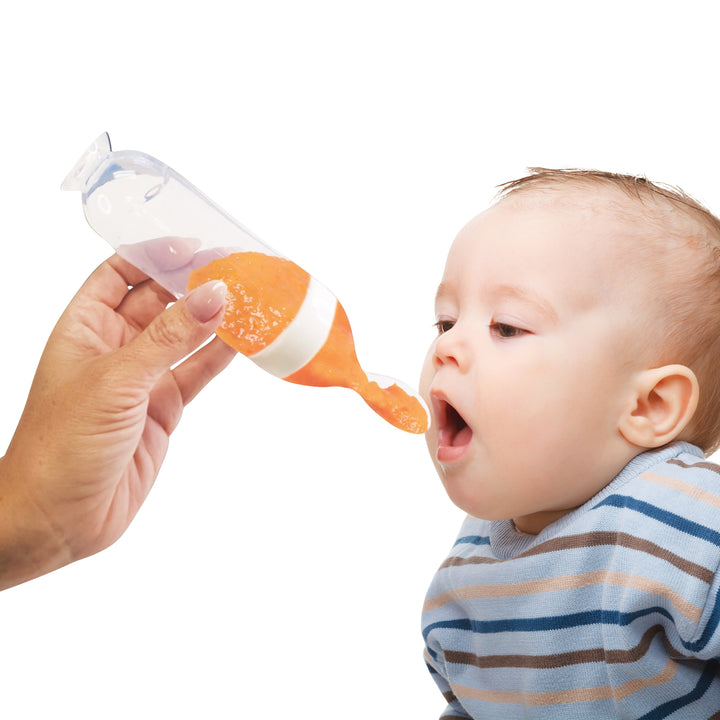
(572,542)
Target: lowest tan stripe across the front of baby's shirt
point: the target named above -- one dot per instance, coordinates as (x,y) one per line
(575,695)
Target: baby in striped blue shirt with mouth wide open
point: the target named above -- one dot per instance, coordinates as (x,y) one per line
(575,391)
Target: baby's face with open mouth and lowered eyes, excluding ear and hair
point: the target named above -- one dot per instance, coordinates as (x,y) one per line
(540,336)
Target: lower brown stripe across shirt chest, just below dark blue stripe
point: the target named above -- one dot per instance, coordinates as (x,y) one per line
(546,662)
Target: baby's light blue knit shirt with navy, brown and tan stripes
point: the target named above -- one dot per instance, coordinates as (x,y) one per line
(610,612)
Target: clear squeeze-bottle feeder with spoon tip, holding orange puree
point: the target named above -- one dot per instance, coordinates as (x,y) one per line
(277,314)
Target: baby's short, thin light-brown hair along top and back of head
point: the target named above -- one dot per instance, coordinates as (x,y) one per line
(664,213)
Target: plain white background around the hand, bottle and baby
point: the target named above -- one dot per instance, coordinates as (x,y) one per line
(279,566)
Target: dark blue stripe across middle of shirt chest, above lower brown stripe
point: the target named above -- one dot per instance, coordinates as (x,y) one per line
(540,624)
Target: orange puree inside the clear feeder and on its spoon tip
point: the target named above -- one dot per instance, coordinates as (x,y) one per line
(264,295)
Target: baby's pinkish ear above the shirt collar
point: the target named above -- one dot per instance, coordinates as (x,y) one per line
(664,402)
